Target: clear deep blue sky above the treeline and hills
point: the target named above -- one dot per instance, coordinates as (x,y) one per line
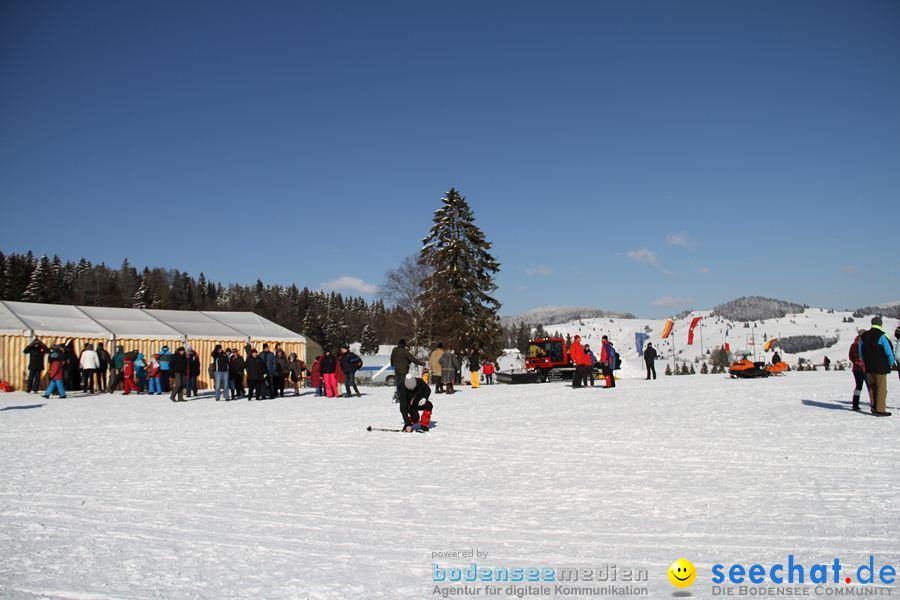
(641,156)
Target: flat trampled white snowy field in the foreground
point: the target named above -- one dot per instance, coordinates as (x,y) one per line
(137,497)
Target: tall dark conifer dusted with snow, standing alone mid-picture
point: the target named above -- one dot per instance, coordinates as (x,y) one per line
(457,291)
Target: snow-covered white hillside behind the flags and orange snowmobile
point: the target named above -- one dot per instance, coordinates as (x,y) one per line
(744,337)
